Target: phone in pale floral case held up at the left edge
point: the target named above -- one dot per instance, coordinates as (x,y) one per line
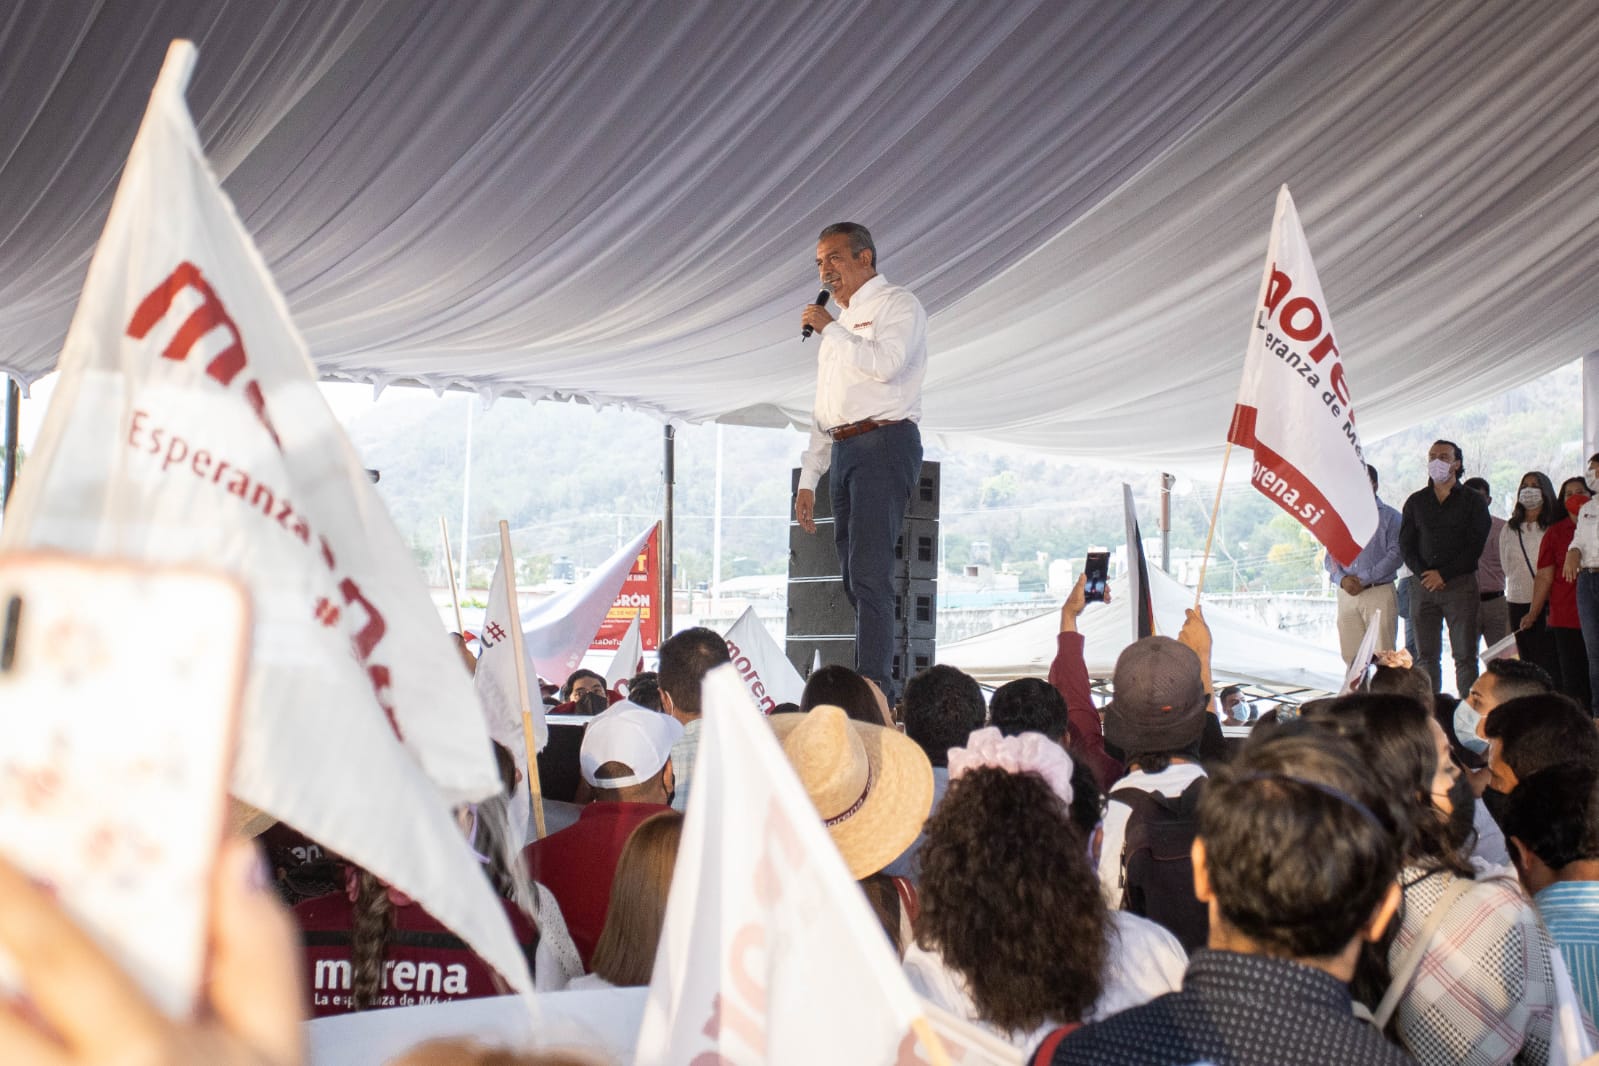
(119,696)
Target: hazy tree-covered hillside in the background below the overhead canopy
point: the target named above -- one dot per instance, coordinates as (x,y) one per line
(576,483)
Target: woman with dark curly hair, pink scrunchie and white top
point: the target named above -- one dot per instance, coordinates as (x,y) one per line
(1015,934)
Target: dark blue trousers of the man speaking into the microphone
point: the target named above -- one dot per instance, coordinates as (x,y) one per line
(872,477)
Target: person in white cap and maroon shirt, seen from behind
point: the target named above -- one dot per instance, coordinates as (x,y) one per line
(628,760)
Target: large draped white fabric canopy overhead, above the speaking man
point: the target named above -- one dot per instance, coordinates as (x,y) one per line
(620,201)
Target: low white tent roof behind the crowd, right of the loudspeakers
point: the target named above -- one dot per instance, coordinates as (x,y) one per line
(1242,650)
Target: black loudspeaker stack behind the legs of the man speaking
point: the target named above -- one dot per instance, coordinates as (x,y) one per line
(821,619)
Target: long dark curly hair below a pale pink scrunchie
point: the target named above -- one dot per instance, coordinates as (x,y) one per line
(1011,902)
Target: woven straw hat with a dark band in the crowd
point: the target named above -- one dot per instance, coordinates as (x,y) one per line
(872,787)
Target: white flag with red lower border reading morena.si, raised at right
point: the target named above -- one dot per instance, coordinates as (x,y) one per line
(1294,408)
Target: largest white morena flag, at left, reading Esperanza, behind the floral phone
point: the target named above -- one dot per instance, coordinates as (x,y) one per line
(188,428)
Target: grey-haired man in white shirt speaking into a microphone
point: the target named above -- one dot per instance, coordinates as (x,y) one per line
(871,364)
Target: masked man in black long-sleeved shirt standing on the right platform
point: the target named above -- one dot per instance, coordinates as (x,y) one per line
(1441,536)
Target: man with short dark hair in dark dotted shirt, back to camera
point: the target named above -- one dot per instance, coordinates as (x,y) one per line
(1274,985)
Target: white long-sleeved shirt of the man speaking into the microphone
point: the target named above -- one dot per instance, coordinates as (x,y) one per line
(869,365)
